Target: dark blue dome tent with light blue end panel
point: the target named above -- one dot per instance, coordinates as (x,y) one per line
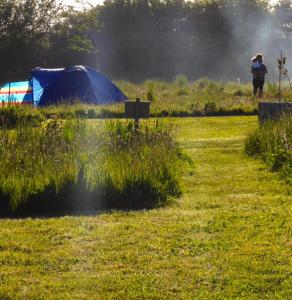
(85,84)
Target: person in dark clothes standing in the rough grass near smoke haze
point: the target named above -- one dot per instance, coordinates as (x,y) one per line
(259,71)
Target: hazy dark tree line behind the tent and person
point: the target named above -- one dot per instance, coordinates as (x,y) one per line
(139,39)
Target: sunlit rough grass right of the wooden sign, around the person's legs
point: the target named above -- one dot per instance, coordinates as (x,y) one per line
(182,97)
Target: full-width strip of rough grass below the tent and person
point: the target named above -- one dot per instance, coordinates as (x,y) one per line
(177,98)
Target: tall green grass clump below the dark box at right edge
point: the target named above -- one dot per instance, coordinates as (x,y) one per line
(272,141)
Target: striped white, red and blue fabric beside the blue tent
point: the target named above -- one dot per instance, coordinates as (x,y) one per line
(16,93)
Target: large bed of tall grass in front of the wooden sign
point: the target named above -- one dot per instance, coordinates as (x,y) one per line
(98,164)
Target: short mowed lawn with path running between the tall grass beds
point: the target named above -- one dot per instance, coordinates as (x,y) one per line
(229,236)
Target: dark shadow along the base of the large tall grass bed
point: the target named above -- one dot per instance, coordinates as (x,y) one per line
(77,199)
